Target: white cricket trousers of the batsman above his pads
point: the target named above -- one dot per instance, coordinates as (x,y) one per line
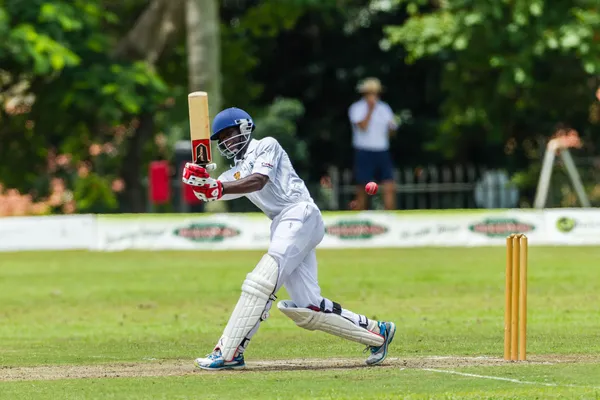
(295,233)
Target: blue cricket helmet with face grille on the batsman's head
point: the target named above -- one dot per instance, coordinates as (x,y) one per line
(228,118)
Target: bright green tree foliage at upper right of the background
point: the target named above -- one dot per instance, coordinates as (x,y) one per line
(512,70)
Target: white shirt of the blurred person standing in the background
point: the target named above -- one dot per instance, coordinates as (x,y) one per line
(376,136)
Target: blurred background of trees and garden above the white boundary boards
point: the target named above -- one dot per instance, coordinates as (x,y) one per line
(93,97)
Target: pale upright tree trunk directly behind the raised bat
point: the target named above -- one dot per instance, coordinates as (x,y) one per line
(204,62)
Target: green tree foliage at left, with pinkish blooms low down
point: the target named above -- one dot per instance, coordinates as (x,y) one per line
(64,93)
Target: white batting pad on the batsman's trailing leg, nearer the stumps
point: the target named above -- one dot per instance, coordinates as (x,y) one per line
(331,323)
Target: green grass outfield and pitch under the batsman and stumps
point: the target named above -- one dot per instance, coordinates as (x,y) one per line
(128,325)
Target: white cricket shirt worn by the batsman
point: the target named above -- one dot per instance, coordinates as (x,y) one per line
(285,188)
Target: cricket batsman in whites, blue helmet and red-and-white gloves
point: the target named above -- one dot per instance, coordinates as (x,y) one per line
(262,172)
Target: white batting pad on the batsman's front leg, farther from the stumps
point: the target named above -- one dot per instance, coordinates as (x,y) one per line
(252,307)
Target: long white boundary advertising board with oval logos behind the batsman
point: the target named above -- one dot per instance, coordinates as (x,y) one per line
(343,230)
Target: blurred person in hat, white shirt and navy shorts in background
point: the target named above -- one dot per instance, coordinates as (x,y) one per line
(373,122)
